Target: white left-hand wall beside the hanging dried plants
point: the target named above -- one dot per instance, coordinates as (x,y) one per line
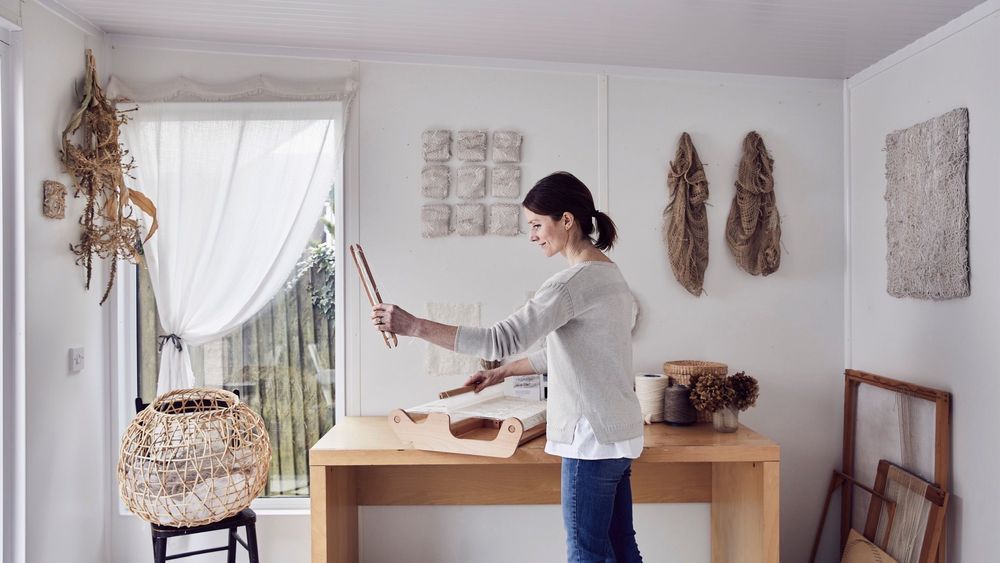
(66,427)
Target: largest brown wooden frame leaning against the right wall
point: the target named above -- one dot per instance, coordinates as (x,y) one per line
(939,400)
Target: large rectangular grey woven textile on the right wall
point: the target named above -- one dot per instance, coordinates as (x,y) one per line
(927,219)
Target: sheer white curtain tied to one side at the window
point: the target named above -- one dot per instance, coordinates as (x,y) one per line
(239,187)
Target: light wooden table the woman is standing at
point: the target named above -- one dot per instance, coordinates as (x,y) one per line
(361,462)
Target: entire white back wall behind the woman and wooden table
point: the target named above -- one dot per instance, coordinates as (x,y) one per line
(786,329)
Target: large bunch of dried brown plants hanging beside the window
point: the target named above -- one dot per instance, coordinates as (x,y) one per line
(98,167)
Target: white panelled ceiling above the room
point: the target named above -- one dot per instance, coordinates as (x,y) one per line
(808,38)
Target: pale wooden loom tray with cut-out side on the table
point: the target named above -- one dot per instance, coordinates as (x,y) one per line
(475,435)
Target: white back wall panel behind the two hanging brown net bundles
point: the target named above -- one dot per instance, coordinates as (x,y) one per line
(787,328)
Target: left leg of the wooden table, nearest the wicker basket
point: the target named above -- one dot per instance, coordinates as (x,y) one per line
(334,513)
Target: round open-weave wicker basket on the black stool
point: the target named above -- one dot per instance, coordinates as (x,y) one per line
(193,457)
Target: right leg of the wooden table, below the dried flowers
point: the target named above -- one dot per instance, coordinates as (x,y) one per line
(745,512)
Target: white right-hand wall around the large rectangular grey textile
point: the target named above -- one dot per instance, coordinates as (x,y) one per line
(951,345)
